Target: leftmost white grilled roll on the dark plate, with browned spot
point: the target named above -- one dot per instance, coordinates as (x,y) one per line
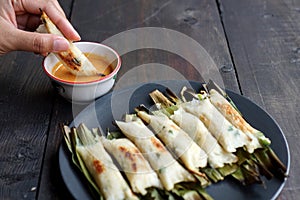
(99,164)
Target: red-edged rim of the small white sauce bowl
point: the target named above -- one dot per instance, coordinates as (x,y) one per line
(101,79)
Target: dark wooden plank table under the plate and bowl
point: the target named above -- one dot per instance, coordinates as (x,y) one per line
(255,44)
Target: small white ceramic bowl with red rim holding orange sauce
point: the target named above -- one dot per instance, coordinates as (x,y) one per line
(85,92)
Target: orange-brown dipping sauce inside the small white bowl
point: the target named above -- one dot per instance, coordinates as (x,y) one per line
(99,62)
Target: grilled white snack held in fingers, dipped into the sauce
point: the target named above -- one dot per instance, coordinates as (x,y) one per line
(73,59)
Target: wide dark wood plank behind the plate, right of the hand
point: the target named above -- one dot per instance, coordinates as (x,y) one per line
(196,19)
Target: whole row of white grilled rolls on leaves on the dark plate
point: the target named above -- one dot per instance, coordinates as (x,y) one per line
(209,146)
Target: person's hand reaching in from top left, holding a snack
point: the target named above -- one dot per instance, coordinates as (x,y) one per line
(19,17)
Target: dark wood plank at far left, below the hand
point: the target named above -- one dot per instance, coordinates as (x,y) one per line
(25,104)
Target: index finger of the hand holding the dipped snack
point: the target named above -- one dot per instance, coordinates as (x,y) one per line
(55,13)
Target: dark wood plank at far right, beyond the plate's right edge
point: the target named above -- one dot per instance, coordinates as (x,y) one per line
(264,40)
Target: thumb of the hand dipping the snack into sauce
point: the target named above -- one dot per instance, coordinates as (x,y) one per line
(40,43)
